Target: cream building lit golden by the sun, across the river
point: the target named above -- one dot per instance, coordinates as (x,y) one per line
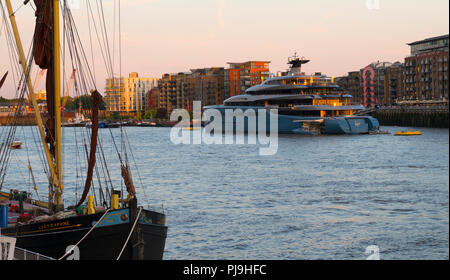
(128,94)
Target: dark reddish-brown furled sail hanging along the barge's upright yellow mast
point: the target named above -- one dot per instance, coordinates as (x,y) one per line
(43,57)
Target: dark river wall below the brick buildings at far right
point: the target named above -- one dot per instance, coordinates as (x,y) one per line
(415,117)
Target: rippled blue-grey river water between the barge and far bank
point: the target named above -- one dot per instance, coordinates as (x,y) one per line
(321,197)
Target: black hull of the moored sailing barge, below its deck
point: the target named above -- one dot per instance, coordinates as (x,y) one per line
(105,242)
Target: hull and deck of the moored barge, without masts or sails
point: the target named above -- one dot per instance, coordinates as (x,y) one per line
(105,232)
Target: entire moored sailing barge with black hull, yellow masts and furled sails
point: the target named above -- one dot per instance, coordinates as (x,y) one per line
(119,229)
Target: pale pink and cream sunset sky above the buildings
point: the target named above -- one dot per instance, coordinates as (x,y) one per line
(165,36)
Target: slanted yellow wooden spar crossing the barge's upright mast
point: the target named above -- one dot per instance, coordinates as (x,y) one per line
(54,171)
